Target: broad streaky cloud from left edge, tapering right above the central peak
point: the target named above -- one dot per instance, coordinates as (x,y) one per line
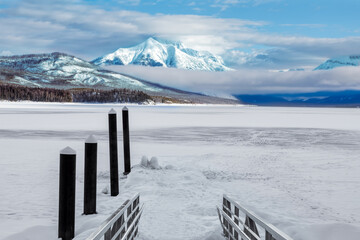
(64,26)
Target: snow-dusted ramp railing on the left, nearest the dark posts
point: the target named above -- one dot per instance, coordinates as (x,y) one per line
(122,224)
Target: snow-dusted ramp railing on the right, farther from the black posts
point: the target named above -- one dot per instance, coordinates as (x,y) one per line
(235,228)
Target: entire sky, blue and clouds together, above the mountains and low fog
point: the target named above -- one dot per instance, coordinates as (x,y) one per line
(290,34)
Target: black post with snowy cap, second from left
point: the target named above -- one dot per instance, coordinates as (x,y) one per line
(90,175)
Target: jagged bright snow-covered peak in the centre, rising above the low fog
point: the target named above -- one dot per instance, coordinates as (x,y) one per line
(163,53)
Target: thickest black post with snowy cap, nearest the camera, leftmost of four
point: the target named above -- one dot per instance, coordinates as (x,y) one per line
(67,194)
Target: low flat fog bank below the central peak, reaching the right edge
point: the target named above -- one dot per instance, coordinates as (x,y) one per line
(248,81)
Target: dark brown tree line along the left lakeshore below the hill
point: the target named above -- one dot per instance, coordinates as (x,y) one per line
(20,93)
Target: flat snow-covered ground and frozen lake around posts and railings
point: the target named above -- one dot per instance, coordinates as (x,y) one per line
(298,168)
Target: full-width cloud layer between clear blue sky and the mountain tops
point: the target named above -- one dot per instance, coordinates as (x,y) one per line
(90,30)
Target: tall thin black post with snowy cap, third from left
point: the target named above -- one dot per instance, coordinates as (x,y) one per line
(114,172)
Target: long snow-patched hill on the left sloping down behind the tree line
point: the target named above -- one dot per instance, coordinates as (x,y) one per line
(63,71)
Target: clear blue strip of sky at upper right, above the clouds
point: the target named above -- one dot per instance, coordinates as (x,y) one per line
(310,18)
